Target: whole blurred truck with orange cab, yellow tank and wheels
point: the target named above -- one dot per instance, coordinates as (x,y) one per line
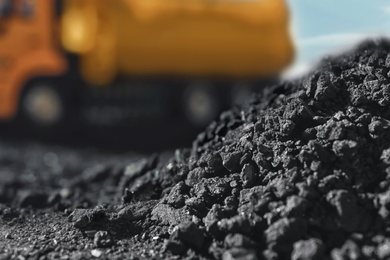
(50,50)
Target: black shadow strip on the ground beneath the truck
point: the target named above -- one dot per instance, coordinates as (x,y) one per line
(146,138)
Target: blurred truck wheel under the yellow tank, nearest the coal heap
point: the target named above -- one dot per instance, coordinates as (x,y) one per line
(201,104)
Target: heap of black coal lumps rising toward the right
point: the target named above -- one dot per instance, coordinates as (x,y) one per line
(302,172)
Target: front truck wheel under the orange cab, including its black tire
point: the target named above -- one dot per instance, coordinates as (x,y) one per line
(46,107)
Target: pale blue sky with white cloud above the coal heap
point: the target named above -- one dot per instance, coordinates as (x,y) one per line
(323,27)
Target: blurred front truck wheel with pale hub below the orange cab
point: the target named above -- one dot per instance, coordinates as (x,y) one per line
(43,106)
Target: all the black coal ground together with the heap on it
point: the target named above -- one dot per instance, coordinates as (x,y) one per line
(301,172)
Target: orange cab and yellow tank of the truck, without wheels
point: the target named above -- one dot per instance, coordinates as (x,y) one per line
(190,38)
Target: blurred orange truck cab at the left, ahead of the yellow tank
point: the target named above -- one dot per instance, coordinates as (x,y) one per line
(28,49)
